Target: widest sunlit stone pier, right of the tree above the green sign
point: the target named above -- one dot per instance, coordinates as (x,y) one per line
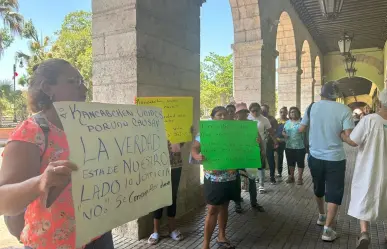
(247,50)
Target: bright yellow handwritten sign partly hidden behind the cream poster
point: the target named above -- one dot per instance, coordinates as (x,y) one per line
(178,115)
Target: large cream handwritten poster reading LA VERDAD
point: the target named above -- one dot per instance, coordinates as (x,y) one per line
(123,159)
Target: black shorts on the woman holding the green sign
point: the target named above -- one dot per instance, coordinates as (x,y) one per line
(219,193)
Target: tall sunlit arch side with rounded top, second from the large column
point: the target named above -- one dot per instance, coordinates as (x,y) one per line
(287,62)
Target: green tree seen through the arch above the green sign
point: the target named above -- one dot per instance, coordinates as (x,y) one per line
(216,82)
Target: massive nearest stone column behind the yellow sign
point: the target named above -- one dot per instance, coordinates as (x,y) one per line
(149,48)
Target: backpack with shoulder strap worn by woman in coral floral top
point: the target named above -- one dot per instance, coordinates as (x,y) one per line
(15,224)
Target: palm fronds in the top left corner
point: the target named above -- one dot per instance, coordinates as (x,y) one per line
(12,20)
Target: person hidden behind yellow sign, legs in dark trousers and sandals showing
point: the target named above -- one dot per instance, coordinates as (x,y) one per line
(176,164)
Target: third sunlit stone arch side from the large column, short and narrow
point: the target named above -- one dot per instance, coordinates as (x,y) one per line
(306,76)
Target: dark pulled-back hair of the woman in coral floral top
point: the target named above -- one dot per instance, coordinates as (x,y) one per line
(46,72)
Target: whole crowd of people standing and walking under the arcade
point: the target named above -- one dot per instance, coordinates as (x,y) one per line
(320,134)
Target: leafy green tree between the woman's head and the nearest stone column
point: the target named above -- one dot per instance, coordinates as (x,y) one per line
(74,44)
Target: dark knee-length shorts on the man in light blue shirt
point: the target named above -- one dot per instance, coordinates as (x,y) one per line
(328,179)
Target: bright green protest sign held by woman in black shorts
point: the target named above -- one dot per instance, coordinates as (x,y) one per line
(229,145)
